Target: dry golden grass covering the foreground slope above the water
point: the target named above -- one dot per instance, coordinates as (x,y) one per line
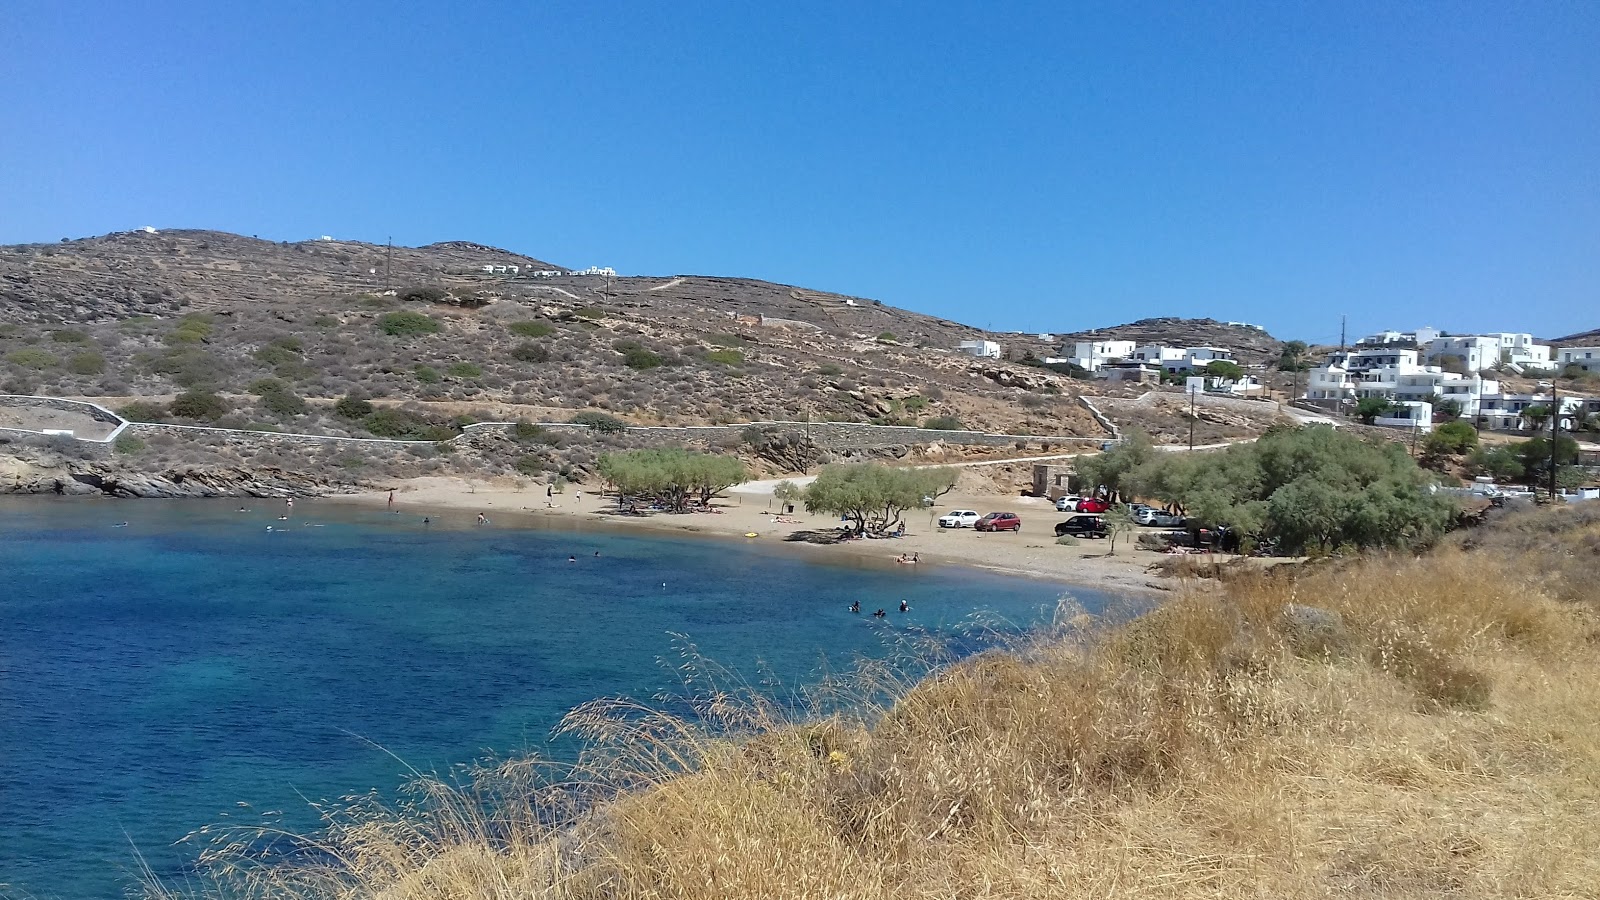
(1446,744)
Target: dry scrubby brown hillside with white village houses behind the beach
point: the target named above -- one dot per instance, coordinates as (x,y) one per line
(191,334)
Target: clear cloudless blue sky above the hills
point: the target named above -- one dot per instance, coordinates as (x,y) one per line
(1020,166)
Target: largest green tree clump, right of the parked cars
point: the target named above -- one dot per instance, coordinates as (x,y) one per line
(1302,486)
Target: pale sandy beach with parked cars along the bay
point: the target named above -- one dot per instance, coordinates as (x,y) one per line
(740,513)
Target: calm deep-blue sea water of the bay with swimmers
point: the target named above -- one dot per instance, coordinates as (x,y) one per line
(156,677)
